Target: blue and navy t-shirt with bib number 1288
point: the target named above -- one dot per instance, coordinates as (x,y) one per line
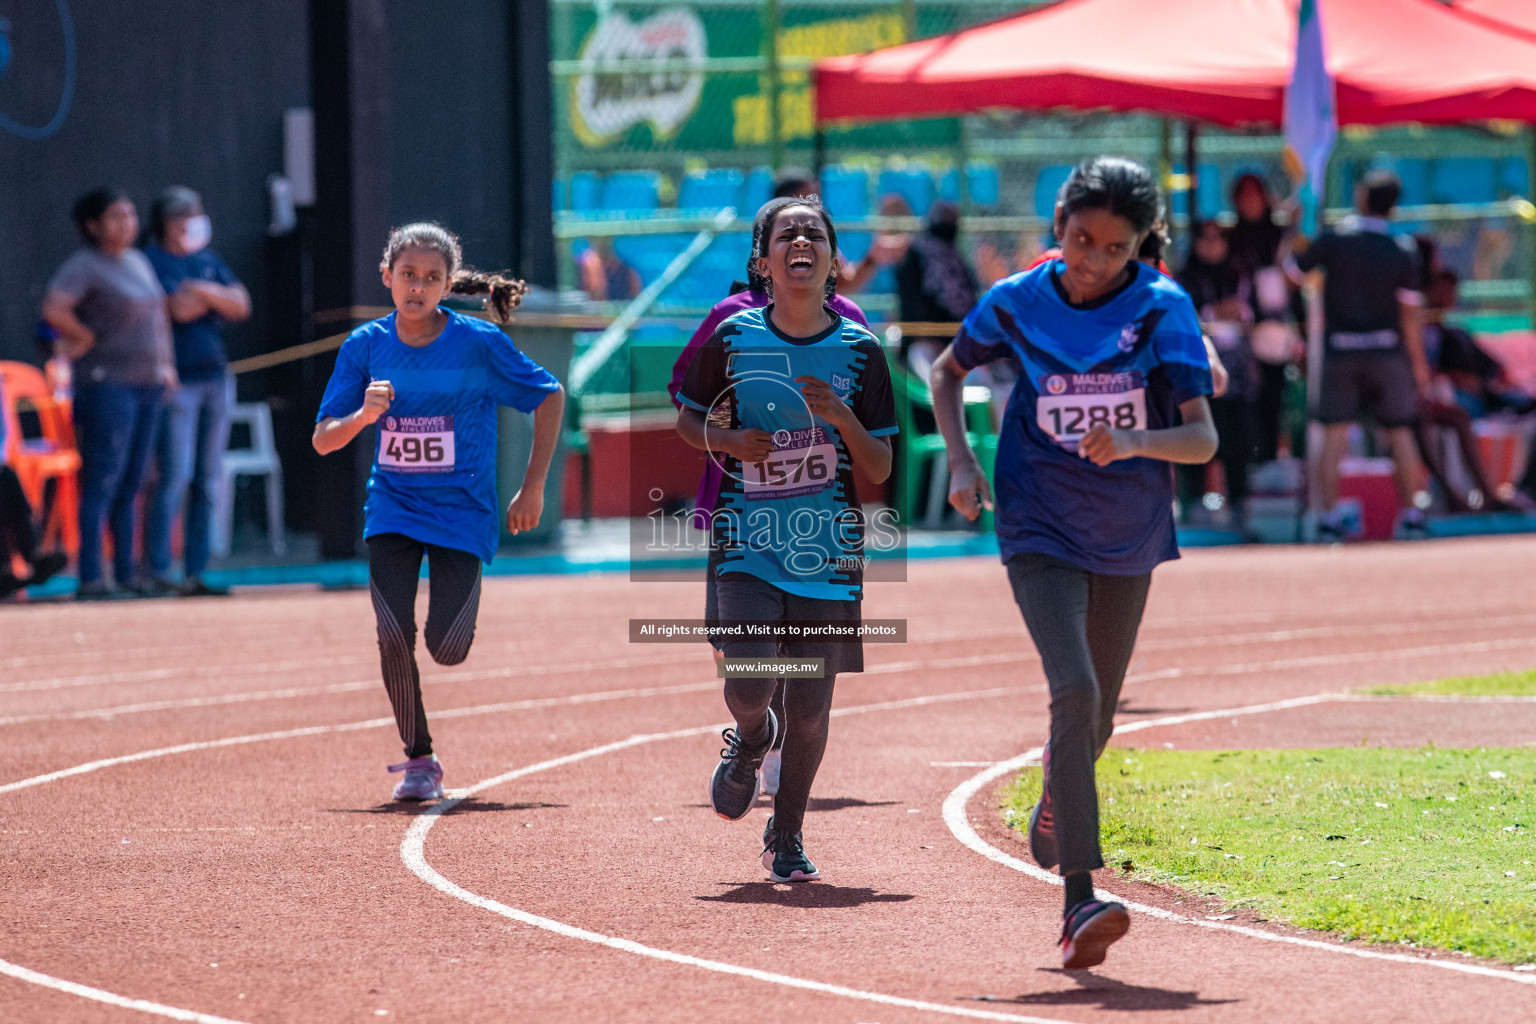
(1127,362)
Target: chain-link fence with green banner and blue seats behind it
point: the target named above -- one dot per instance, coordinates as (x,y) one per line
(672,111)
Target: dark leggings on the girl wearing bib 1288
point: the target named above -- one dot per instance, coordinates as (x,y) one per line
(1085,627)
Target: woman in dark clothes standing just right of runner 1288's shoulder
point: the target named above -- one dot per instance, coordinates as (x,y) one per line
(1217,286)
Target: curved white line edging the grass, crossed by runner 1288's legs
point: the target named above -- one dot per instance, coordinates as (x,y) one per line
(955,814)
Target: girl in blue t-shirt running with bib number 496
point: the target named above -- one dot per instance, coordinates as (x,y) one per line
(431,380)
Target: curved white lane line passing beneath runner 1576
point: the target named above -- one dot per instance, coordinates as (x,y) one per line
(412,853)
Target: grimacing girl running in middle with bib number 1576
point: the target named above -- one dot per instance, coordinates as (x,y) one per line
(789,400)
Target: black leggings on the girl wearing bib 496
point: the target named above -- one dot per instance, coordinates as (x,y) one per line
(454,603)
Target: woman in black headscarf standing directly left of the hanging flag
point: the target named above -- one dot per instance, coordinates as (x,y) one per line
(1257,243)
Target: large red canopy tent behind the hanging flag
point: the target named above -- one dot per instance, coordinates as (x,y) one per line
(1225,64)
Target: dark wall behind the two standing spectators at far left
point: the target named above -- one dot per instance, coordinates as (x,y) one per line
(167,93)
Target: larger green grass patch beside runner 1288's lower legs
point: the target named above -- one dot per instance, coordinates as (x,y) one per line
(1422,848)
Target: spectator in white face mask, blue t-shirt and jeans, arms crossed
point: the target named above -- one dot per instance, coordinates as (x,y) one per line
(194,426)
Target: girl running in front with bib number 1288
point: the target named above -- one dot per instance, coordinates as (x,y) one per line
(1113,391)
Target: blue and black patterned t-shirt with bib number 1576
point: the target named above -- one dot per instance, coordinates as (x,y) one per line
(793,520)
